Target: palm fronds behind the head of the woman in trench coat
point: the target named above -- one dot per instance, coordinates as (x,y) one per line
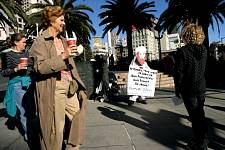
(75,18)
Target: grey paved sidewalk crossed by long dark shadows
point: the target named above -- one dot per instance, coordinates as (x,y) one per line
(159,125)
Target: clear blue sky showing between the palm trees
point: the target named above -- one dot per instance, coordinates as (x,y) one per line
(160,6)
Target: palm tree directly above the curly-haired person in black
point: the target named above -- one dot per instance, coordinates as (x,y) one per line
(189,11)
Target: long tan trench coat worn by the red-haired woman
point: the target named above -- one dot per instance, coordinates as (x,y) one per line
(48,64)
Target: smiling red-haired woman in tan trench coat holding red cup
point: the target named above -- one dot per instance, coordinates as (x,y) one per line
(60,93)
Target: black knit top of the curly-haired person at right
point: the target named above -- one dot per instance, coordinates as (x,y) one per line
(189,75)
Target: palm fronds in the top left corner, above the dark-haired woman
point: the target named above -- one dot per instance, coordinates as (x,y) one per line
(10,8)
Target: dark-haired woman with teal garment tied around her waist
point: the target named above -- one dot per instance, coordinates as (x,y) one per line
(19,81)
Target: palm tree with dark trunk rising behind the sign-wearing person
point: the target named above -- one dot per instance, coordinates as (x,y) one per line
(124,14)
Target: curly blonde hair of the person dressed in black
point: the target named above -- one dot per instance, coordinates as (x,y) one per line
(193,33)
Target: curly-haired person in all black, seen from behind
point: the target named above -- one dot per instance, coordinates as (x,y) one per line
(189,77)
